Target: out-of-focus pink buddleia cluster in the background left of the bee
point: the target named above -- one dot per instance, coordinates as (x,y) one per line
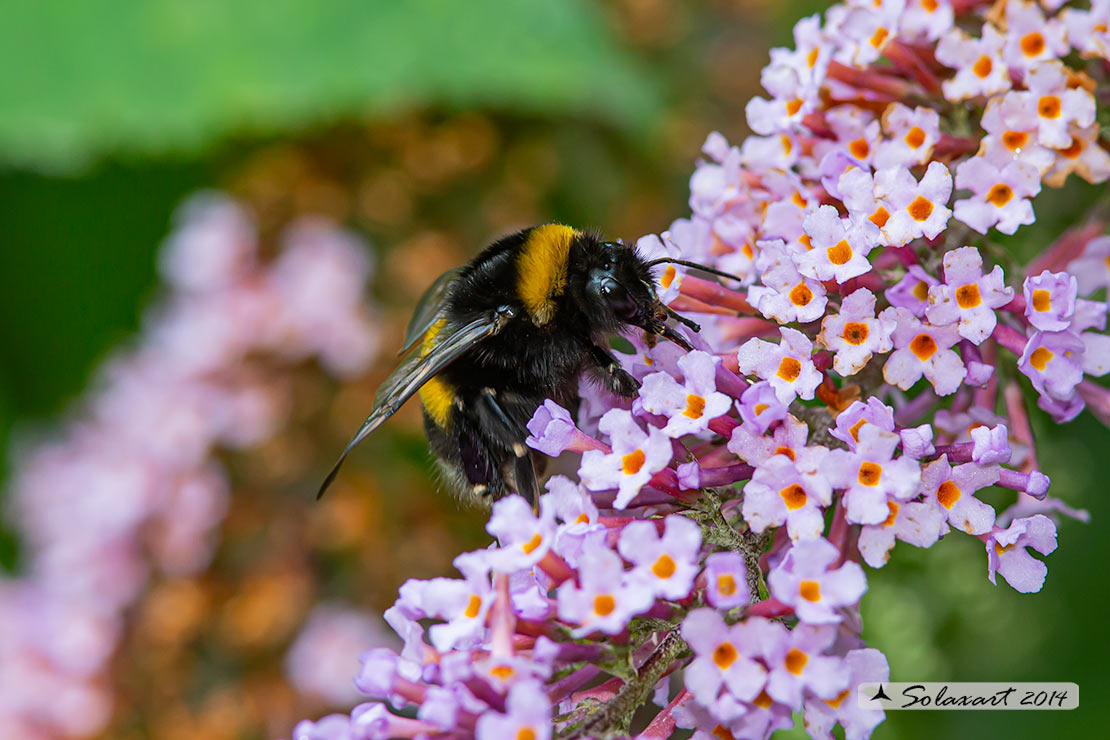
(132,488)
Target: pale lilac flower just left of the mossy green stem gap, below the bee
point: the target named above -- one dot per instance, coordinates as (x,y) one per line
(668,564)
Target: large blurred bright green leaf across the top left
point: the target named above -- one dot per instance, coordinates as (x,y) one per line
(105,76)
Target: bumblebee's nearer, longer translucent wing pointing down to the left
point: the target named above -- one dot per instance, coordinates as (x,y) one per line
(418,370)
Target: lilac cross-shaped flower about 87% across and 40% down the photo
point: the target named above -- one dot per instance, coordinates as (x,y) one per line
(967,297)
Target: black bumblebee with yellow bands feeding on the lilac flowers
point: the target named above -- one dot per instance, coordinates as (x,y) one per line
(520,323)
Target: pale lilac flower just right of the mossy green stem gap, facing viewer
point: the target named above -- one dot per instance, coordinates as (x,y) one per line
(781,492)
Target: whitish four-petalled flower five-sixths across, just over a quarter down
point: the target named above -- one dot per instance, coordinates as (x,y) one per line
(917,209)
